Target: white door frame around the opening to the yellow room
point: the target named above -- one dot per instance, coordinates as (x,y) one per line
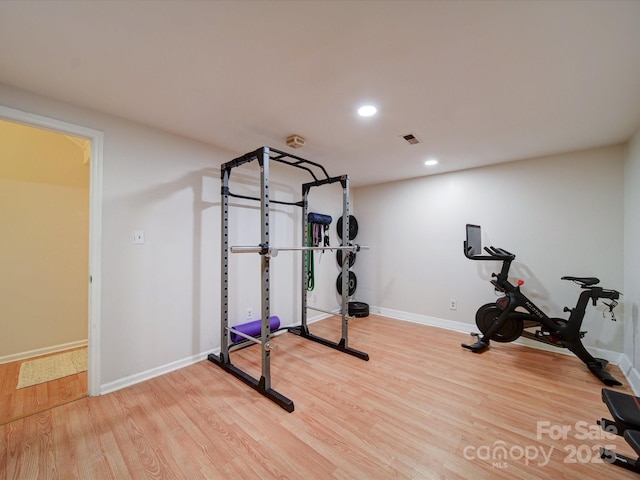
(95,226)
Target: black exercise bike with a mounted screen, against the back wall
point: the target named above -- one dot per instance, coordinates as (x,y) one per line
(514,315)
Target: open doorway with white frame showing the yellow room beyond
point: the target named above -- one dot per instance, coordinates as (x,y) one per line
(51,197)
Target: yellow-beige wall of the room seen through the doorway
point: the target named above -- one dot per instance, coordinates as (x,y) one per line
(44,234)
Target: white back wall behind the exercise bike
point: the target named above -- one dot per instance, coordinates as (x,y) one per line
(561,215)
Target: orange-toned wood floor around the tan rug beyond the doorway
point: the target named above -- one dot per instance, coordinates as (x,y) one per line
(16,404)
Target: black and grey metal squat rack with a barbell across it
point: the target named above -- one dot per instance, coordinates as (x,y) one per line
(264,156)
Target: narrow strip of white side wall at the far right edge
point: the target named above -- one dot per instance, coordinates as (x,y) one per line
(632,259)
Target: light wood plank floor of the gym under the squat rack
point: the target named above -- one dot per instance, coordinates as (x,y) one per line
(421,408)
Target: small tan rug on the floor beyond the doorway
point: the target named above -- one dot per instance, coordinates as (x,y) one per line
(45,369)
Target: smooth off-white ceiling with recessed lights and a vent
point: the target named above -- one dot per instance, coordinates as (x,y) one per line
(477,82)
